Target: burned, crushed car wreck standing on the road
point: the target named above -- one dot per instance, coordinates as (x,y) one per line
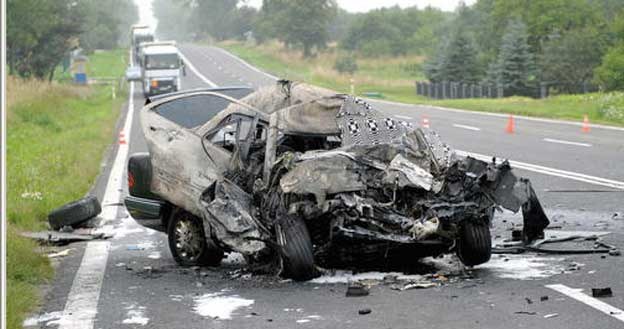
(294,177)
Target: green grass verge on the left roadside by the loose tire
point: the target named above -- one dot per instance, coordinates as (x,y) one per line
(57,135)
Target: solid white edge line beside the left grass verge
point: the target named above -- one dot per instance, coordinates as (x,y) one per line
(82,301)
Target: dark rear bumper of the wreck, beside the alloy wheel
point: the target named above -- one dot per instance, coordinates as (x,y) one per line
(148,212)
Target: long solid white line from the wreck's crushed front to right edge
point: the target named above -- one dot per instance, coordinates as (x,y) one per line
(552,171)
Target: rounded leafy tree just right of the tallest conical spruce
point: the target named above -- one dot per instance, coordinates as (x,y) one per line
(570,59)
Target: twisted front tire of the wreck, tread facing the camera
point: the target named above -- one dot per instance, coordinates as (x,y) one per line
(296,248)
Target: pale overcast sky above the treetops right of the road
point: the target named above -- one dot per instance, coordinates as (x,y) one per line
(366,5)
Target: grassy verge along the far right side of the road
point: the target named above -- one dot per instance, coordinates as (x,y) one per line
(394,78)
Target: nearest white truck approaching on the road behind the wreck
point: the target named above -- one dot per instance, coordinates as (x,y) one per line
(161,67)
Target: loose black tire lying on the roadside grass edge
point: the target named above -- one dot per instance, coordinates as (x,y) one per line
(74,213)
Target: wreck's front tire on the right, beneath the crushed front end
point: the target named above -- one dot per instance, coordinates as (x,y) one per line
(474,245)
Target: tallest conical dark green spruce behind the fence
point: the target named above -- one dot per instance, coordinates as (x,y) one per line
(515,68)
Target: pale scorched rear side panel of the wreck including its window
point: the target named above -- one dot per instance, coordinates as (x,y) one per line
(182,166)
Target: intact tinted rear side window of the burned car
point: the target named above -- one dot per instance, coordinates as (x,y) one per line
(192,111)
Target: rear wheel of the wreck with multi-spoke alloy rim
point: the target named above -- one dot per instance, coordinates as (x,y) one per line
(188,243)
